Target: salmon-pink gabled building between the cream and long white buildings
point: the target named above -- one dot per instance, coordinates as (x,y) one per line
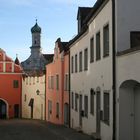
(57,85)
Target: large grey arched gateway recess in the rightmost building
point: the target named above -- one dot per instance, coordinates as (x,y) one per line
(129,112)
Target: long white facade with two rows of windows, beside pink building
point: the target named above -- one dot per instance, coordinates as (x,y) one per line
(91,74)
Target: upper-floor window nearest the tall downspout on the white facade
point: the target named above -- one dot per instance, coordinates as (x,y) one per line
(106,40)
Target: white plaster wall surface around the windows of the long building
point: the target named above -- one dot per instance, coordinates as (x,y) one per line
(99,74)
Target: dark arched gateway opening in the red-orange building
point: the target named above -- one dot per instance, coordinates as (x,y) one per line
(3,109)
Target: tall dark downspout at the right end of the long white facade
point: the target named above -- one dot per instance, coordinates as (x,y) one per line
(114,68)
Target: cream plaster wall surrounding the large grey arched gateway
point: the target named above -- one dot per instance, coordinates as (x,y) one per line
(128,68)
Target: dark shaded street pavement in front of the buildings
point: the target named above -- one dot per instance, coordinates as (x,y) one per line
(37,130)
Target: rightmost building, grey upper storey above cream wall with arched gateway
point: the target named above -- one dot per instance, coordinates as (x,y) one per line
(127,70)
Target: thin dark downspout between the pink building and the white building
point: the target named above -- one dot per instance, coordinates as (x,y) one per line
(69,92)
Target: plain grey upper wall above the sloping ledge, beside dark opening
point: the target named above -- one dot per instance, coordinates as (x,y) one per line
(127,19)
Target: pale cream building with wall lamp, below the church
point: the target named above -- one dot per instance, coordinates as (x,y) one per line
(33,97)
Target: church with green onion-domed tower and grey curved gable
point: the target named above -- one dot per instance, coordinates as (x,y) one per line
(36,61)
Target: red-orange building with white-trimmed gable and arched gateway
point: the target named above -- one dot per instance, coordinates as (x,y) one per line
(10,89)
